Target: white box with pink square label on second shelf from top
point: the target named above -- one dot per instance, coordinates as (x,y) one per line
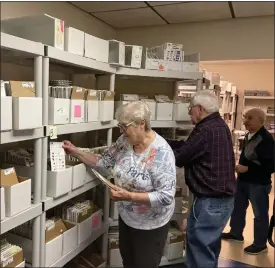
(77,109)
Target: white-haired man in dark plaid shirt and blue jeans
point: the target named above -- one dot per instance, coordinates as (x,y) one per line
(208,158)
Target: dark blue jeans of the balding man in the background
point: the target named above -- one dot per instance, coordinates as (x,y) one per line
(258,197)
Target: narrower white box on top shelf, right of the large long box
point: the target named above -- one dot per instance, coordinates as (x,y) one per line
(74,41)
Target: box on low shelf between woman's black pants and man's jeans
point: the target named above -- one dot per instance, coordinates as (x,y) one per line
(174,245)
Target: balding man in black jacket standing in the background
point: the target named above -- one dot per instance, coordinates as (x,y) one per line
(255,168)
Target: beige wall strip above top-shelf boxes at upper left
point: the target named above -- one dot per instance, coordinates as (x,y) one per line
(62,10)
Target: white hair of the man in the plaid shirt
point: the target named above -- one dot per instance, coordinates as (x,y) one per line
(207,99)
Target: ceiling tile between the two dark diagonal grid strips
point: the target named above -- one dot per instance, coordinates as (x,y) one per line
(194,11)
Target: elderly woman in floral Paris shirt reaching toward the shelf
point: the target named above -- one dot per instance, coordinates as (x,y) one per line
(143,165)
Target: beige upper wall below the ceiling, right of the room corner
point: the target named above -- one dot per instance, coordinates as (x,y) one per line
(250,38)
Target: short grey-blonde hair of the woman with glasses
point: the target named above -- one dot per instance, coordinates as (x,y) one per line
(135,111)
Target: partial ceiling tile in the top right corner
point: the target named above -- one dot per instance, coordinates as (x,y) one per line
(252,9)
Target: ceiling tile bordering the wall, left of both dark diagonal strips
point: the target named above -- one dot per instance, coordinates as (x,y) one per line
(130,18)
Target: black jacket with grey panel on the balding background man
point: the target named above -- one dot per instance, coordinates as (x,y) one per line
(258,155)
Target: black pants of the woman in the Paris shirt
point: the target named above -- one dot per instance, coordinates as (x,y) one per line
(141,248)
